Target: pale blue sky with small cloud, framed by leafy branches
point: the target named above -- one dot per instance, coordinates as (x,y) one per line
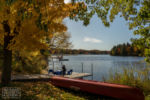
(96,35)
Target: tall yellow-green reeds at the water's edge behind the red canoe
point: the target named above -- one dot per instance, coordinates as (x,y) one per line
(135,77)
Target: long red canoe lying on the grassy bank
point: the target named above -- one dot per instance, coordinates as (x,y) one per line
(122,92)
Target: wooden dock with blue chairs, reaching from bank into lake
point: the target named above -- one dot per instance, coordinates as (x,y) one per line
(45,77)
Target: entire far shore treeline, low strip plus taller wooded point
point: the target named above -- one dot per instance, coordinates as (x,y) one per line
(125,49)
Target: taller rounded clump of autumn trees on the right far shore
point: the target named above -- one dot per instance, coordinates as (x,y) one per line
(126,50)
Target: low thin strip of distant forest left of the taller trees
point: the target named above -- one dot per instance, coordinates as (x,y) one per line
(78,51)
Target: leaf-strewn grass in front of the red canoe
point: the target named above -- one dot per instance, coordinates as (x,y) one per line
(46,91)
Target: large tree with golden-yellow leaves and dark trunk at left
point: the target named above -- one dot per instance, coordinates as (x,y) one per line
(25,25)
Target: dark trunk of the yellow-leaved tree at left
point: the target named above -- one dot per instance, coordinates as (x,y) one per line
(6,72)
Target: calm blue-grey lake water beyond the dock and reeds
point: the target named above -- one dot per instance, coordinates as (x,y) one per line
(102,64)
